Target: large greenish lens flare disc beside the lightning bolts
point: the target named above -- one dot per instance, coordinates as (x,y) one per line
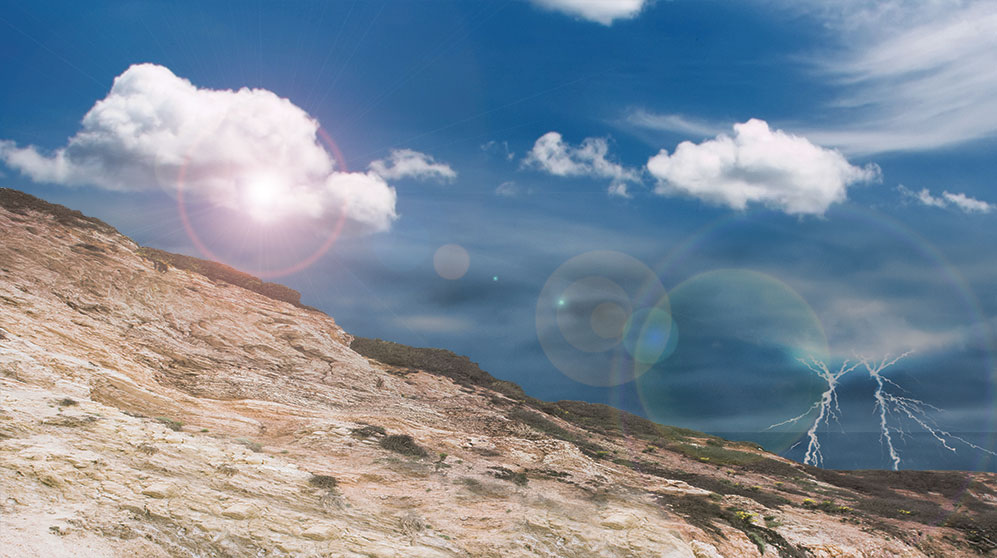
(728,350)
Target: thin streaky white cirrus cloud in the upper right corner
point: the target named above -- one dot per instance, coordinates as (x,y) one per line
(912,75)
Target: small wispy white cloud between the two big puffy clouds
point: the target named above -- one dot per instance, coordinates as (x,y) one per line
(552,155)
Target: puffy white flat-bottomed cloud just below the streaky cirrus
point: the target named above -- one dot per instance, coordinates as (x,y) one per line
(759,165)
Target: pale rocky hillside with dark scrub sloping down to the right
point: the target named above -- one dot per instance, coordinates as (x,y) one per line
(158,405)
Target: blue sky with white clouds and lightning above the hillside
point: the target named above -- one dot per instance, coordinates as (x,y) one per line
(708,213)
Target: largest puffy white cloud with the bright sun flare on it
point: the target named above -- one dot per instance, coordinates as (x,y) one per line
(247,150)
